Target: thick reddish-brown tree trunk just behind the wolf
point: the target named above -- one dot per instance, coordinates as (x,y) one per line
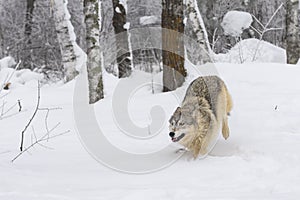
(174,72)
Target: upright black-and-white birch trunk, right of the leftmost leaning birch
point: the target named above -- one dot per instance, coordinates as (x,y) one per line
(91,13)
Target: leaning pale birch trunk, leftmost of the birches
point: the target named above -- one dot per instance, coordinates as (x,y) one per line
(66,42)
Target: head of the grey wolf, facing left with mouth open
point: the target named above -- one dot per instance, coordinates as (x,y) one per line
(182,123)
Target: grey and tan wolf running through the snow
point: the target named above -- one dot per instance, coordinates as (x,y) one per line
(203,112)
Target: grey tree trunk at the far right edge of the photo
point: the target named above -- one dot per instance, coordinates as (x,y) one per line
(292,31)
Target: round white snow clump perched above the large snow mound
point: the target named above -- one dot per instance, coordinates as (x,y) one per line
(234,22)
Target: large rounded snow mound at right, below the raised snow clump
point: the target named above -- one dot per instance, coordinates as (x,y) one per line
(253,50)
